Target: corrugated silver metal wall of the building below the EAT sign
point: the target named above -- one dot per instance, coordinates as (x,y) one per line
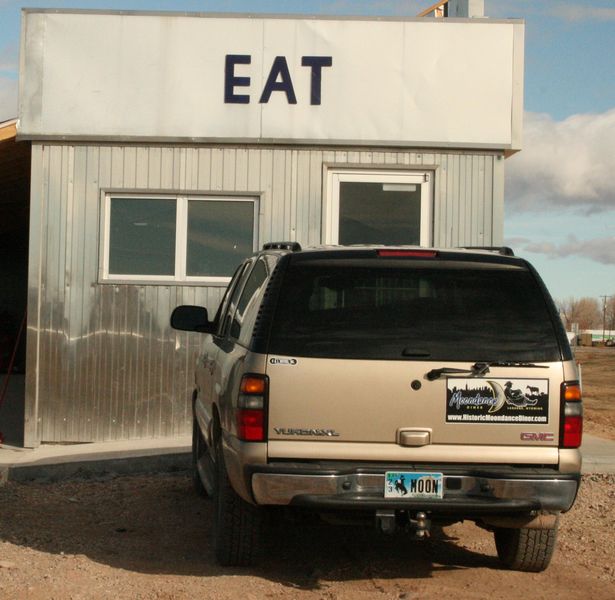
(103,363)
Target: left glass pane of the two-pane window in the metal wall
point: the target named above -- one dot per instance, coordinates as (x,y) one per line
(142,237)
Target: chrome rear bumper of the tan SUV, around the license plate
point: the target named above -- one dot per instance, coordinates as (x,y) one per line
(465,494)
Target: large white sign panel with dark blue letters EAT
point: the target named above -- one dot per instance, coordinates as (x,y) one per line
(92,75)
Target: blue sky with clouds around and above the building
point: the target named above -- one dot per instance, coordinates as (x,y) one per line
(560,189)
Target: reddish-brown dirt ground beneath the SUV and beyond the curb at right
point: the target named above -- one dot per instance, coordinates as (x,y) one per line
(149,537)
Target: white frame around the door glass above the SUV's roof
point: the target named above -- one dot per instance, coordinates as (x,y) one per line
(336,176)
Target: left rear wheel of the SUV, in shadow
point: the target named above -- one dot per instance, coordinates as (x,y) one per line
(237,523)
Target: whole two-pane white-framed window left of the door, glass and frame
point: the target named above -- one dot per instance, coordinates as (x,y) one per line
(176,238)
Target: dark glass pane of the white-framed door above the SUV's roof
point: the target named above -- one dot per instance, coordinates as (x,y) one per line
(376,213)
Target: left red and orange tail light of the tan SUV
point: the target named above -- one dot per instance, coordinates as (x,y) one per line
(251,408)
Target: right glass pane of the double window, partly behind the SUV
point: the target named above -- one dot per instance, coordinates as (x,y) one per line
(220,236)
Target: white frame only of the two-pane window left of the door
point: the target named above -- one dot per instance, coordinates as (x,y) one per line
(181,238)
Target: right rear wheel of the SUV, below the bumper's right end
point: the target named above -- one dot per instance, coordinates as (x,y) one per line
(525,549)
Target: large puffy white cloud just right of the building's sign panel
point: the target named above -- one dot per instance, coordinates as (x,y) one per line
(564,164)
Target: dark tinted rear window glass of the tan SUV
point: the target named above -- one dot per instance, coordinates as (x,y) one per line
(406,313)
